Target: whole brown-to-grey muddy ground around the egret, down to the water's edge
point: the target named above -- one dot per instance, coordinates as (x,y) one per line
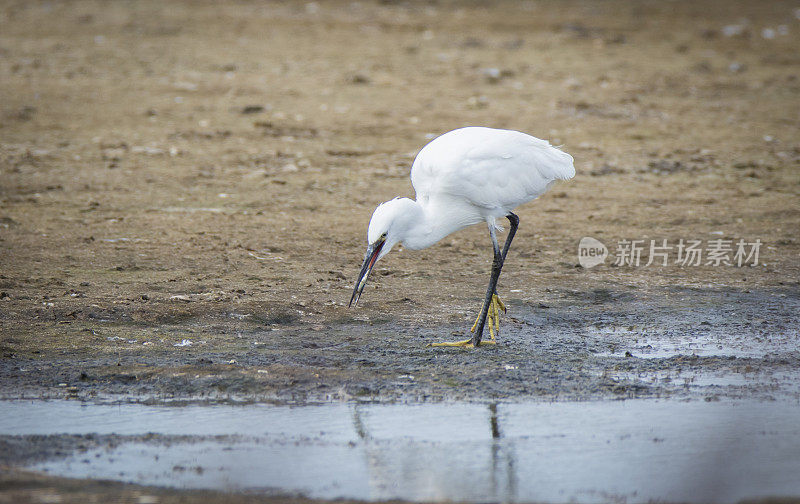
(185,189)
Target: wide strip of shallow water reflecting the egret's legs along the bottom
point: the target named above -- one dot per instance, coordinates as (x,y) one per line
(629,451)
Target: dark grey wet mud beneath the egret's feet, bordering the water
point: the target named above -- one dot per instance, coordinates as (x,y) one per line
(613,343)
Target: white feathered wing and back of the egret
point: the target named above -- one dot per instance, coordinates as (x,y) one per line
(491,168)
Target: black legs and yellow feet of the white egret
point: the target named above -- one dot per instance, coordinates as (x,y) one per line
(492,304)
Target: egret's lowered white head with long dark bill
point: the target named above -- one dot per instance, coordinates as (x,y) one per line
(389,224)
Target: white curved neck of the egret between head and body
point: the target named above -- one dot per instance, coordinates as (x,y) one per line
(435,220)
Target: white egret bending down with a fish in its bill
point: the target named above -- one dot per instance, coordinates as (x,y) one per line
(461,178)
